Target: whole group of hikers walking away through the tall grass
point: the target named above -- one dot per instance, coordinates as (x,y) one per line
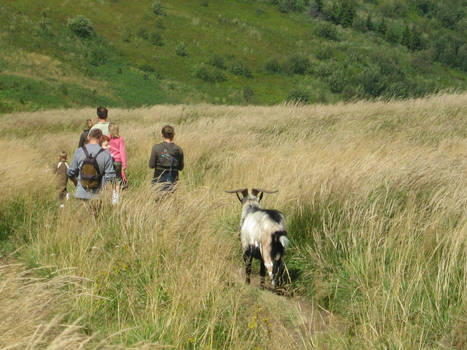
(100,162)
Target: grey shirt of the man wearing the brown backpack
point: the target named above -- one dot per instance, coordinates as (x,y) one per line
(105,163)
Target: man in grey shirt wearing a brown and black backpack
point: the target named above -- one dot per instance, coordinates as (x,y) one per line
(93,166)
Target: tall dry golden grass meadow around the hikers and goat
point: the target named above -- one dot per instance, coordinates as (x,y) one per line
(375,198)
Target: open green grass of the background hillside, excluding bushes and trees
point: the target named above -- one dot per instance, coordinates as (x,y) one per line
(58,69)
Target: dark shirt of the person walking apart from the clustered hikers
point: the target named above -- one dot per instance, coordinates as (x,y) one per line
(160,162)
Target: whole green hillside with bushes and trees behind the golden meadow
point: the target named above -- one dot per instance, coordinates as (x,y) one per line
(133,53)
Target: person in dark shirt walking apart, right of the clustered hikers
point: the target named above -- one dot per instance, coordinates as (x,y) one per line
(166,160)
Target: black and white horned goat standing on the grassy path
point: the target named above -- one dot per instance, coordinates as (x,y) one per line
(263,235)
